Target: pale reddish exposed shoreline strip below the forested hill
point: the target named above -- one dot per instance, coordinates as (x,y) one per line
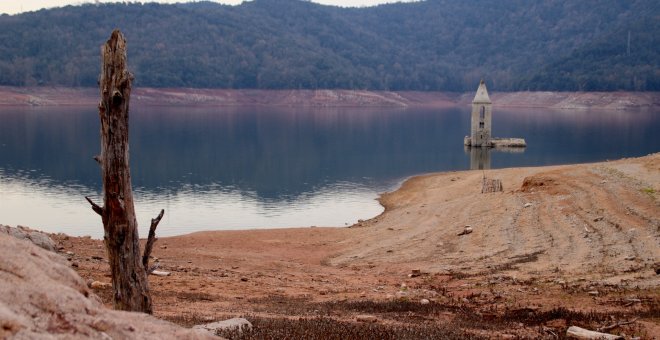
(61,96)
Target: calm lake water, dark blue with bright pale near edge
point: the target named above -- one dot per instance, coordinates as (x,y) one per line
(222,168)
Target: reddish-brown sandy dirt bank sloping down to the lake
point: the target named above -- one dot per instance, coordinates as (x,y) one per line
(560,246)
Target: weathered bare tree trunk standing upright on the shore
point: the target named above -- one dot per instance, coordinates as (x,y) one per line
(128,268)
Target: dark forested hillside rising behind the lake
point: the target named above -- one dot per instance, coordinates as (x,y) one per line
(289,44)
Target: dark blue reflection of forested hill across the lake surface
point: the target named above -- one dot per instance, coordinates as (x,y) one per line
(282,154)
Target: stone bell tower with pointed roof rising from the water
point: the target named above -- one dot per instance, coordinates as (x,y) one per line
(481,125)
